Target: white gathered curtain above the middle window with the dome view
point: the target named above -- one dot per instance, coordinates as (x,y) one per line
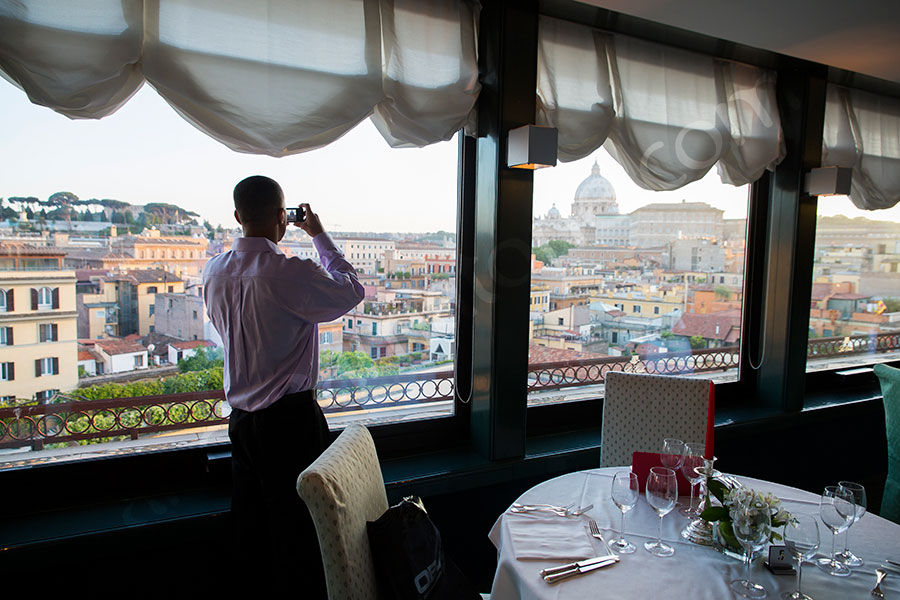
(666,115)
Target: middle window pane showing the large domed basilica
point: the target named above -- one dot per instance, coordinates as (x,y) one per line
(628,279)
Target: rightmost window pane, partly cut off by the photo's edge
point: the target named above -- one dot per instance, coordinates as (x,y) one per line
(855,305)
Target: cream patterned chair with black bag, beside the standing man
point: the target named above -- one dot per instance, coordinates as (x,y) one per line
(343,489)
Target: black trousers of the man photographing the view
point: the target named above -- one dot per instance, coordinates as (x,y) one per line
(276,537)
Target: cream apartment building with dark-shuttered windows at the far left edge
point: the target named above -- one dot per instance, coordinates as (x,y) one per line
(38,325)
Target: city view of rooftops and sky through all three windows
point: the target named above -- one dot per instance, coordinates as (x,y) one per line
(105,227)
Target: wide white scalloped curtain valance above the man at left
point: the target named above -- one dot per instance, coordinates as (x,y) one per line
(273,77)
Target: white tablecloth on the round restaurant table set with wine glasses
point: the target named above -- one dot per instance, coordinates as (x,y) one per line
(693,571)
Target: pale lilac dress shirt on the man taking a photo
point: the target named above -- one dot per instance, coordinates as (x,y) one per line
(266,307)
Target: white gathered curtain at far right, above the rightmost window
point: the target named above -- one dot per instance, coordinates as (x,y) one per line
(862,131)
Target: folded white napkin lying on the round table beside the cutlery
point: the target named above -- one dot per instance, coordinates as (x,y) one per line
(542,536)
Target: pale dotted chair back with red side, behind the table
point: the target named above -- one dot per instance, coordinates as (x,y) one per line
(640,411)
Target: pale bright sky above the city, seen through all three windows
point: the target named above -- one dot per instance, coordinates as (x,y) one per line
(146,152)
